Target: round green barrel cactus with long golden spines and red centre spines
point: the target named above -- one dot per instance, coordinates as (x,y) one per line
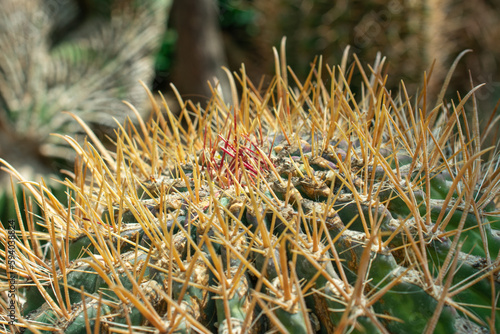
(302,208)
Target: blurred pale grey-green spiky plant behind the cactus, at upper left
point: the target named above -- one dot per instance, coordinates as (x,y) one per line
(77,56)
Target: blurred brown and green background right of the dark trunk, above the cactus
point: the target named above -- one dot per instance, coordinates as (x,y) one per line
(411,34)
